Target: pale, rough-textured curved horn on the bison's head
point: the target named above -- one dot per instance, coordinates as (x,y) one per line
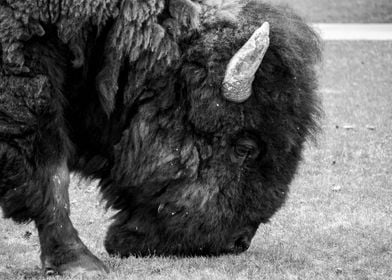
(242,67)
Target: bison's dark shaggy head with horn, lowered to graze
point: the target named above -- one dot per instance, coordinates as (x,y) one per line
(212,146)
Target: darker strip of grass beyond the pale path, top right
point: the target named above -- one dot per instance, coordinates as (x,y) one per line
(344,11)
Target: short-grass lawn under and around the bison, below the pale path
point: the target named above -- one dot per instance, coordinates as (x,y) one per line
(337,222)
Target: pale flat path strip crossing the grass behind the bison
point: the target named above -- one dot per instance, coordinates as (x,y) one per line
(354,31)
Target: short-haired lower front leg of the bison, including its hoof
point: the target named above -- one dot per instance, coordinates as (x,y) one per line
(62,251)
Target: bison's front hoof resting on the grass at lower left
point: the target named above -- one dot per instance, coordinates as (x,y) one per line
(85,264)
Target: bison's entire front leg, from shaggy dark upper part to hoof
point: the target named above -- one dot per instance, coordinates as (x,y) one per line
(34,176)
